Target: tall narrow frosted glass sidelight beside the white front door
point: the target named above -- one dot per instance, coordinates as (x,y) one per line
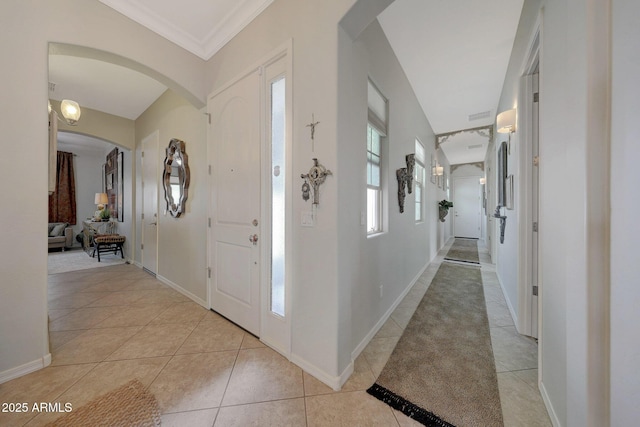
(278,197)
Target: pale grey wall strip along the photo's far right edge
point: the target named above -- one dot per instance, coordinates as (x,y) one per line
(625,205)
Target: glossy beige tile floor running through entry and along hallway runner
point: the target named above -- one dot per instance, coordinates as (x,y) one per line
(113,324)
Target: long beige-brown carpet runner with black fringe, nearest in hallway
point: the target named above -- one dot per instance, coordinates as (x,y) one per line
(441,372)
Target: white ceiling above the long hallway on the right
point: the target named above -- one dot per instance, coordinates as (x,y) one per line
(455,55)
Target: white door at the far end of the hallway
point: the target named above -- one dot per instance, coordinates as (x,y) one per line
(466,207)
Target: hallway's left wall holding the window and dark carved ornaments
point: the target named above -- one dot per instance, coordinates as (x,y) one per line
(395,258)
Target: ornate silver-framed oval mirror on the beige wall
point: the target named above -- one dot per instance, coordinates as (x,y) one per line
(175,177)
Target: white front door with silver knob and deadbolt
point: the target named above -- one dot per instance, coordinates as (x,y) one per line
(235,241)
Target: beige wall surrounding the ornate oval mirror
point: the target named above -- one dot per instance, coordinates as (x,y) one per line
(181,241)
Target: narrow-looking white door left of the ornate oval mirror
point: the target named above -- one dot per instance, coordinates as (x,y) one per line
(149,218)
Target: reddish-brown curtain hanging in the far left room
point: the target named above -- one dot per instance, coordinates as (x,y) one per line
(62,203)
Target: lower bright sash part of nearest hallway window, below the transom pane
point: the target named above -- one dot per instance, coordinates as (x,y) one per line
(374,189)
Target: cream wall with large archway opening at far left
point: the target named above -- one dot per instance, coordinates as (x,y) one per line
(23,264)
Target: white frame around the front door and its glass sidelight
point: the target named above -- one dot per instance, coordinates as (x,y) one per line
(275,332)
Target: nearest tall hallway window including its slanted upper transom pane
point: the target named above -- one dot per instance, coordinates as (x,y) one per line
(376,131)
